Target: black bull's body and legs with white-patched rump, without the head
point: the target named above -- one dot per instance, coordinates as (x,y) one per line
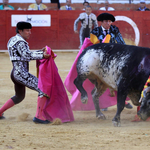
(123,68)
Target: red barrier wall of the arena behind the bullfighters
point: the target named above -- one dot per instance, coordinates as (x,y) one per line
(60,34)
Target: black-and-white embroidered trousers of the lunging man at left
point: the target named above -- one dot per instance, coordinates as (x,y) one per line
(22,78)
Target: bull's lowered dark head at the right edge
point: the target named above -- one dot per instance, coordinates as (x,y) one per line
(144,111)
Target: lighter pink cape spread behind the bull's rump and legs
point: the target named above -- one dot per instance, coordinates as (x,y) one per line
(104,101)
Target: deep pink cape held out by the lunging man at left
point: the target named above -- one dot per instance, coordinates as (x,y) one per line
(58,106)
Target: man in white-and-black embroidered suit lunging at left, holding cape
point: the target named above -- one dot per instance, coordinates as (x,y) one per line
(20,55)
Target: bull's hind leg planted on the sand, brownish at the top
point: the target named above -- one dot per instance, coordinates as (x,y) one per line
(96,93)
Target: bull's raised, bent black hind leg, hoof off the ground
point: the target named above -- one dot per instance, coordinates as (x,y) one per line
(78,83)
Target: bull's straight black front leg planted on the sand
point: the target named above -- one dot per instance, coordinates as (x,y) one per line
(121,97)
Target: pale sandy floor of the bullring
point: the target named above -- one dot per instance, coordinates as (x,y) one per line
(18,132)
